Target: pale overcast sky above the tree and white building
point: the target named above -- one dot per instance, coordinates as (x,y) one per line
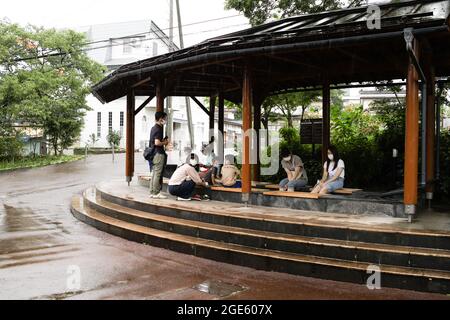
(70,14)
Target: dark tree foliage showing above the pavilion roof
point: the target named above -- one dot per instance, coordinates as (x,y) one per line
(260,11)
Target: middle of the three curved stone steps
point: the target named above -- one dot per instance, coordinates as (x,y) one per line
(338,249)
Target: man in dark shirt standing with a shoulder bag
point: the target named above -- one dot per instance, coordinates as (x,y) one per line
(159,160)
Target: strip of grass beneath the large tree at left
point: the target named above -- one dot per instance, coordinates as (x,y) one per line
(38,161)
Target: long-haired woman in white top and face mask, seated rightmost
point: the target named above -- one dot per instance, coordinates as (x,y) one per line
(333,173)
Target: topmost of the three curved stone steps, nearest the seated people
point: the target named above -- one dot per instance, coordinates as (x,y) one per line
(232,215)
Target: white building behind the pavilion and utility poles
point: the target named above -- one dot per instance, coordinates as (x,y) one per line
(126,43)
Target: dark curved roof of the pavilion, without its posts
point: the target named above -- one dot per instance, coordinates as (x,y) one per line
(294,53)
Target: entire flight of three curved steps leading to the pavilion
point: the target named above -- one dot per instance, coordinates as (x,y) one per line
(416,260)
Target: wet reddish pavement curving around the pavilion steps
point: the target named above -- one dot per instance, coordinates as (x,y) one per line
(43,248)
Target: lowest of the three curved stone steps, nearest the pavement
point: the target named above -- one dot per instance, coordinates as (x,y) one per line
(326,268)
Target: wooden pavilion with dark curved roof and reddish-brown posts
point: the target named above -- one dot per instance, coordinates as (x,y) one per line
(319,51)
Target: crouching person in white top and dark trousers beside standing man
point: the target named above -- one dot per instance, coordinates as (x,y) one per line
(184,179)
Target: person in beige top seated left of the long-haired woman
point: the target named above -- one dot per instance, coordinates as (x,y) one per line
(297,177)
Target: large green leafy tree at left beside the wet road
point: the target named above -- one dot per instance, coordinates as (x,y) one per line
(44,80)
